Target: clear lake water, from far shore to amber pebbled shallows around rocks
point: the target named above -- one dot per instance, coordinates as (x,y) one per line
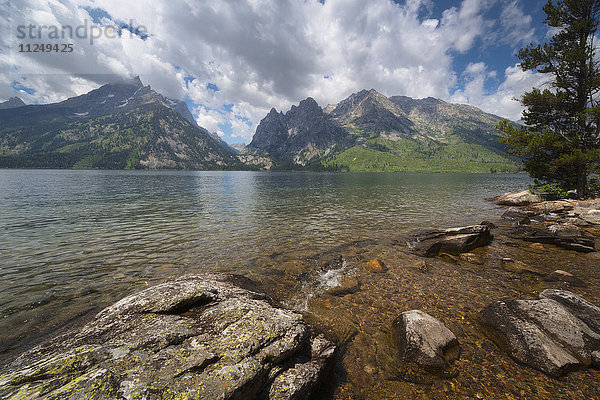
(72,242)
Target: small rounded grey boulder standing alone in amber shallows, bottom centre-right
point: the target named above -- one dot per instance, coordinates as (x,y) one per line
(424,340)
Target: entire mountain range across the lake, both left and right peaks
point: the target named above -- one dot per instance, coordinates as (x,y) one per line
(126,125)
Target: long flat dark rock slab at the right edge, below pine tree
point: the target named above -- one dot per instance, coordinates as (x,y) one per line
(567,236)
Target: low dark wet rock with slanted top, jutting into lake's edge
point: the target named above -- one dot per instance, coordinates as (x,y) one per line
(451,241)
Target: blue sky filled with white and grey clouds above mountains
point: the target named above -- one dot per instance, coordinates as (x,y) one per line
(232,60)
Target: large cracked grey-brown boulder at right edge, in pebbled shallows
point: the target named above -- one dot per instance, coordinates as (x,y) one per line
(546,334)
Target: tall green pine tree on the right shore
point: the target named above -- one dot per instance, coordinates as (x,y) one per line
(561,137)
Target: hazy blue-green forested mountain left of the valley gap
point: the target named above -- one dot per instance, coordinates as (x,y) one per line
(121,125)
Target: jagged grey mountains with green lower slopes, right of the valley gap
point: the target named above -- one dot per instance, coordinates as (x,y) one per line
(369,132)
